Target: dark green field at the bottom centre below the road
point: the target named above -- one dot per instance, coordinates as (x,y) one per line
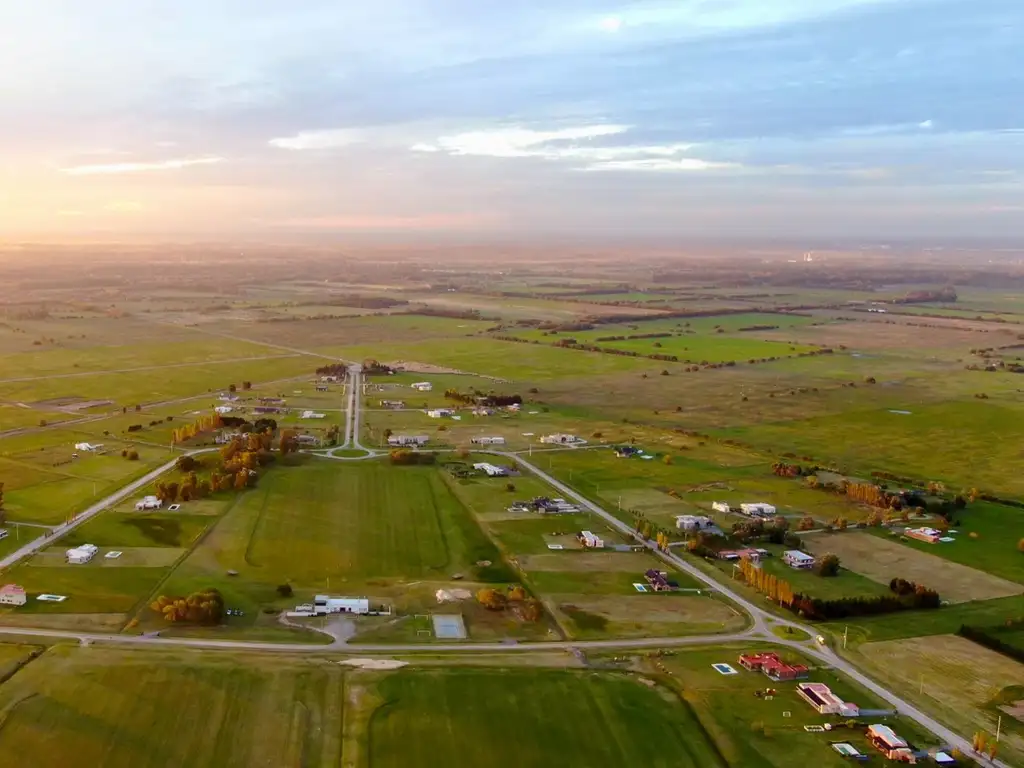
(464,718)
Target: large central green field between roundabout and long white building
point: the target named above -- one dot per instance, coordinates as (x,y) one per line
(363,528)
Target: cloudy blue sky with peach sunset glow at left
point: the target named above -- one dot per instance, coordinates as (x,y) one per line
(655,119)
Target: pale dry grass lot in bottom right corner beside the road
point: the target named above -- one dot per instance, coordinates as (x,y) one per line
(963,684)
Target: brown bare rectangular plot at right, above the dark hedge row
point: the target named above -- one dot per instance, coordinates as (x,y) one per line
(884,561)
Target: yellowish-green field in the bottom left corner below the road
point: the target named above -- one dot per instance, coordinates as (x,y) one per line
(104,707)
